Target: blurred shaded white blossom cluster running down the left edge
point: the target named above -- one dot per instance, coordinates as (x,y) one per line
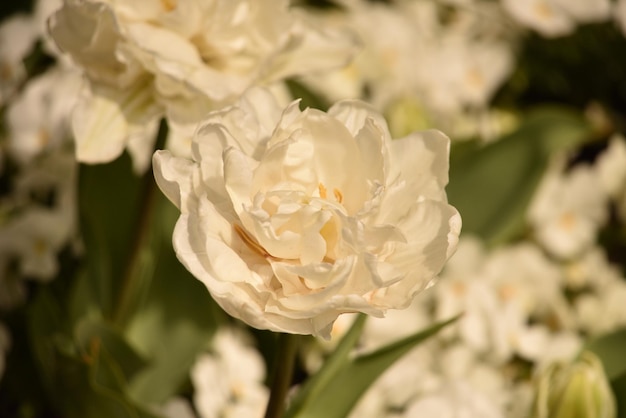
(38,214)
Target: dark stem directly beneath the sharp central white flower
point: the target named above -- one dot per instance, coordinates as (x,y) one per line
(283,374)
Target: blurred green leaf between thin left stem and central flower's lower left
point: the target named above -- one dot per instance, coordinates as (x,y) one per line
(172,322)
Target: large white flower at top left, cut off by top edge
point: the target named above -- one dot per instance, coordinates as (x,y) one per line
(146,59)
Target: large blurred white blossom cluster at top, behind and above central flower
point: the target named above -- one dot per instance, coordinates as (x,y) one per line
(447,67)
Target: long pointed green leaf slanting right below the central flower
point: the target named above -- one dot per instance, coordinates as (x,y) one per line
(341,388)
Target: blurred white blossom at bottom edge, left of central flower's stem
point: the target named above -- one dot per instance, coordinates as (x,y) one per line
(228,382)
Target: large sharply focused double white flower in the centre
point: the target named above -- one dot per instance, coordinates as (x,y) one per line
(291,218)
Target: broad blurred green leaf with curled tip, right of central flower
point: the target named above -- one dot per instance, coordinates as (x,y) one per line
(492,185)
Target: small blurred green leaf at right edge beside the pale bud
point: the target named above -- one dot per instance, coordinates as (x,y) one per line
(610,349)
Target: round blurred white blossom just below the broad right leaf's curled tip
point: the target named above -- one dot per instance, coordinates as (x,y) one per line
(567,211)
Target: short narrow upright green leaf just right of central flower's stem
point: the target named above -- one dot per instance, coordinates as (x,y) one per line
(315,385)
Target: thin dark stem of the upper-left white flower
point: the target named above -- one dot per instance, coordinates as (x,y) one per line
(139,269)
